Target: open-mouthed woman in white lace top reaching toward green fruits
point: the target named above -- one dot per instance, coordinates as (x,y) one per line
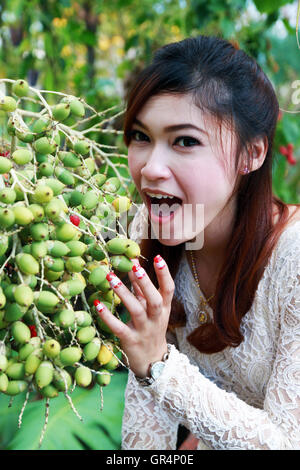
(218,310)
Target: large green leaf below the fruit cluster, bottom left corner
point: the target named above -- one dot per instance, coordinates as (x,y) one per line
(100,430)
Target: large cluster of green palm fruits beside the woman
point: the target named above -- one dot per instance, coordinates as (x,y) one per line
(57,205)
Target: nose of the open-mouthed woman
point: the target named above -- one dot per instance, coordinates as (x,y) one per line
(156,165)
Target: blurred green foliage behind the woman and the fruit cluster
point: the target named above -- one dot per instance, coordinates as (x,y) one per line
(94,49)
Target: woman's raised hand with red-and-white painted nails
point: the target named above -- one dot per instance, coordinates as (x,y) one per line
(143,338)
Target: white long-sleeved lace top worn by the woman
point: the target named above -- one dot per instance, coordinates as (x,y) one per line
(240,398)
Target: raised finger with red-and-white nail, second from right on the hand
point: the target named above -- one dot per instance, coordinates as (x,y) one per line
(150,292)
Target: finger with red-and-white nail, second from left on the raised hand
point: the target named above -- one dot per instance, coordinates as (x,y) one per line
(135,308)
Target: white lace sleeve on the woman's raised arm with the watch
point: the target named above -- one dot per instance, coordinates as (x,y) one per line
(220,418)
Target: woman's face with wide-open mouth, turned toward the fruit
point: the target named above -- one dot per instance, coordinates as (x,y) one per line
(186,162)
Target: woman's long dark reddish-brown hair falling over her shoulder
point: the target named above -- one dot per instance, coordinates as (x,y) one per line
(229,85)
